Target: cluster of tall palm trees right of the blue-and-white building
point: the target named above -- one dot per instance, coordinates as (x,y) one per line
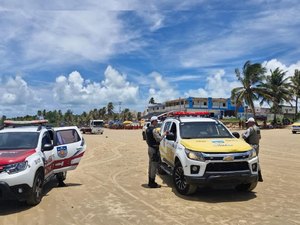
(275,89)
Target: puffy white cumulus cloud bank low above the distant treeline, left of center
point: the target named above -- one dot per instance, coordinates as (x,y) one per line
(73,89)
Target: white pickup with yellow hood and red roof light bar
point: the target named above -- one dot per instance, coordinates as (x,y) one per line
(203,152)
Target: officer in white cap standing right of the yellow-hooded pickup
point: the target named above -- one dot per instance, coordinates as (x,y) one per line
(252,136)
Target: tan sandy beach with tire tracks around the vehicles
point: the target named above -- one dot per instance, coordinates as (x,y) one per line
(109,187)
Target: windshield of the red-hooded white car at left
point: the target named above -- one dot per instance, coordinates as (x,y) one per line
(18,140)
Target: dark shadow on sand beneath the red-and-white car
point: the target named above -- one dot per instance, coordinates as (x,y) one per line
(13,206)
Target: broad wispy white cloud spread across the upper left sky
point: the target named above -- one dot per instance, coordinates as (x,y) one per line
(45,38)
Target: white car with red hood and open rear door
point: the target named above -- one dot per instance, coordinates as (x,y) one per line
(31,153)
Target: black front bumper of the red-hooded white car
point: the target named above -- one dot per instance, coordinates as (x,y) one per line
(20,192)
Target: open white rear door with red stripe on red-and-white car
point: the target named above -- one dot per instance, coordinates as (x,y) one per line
(69,147)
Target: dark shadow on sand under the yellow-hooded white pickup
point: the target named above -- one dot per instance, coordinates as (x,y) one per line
(209,195)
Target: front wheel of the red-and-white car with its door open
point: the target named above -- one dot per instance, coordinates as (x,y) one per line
(37,190)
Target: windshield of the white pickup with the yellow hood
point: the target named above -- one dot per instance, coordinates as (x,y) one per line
(203,130)
